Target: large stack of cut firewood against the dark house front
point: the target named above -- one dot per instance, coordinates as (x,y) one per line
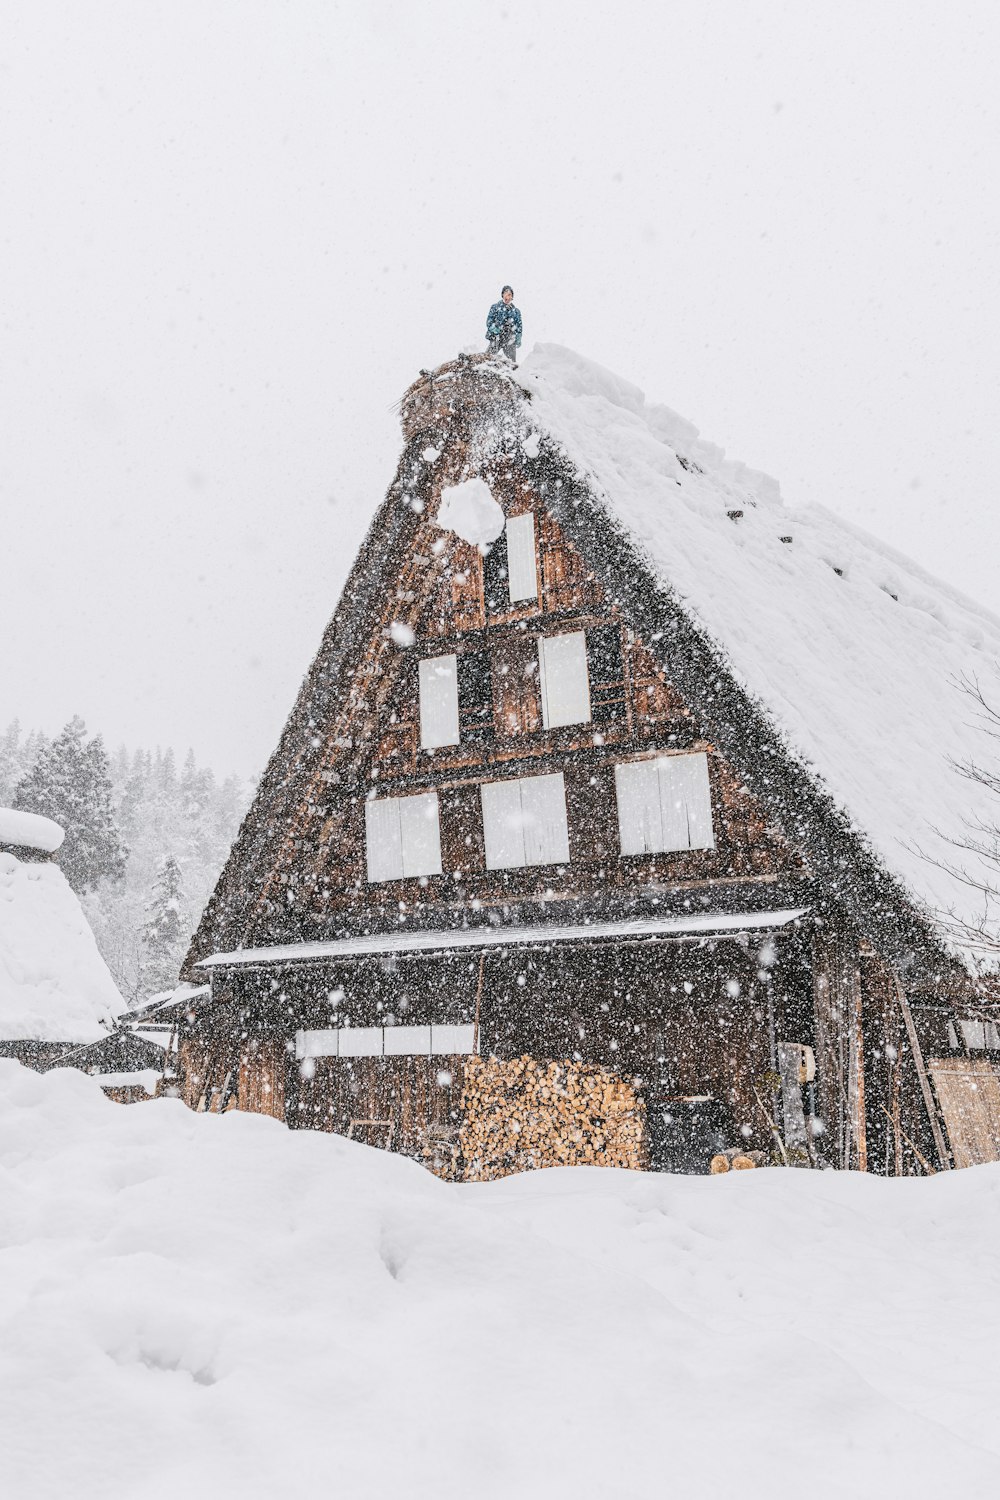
(522,1115)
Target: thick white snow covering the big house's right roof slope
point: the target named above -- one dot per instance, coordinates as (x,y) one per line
(854,652)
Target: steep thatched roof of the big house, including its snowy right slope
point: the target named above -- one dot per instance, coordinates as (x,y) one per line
(797,656)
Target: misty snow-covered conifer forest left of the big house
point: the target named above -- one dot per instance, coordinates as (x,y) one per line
(146,841)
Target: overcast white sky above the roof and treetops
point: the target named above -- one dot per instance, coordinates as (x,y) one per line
(232,235)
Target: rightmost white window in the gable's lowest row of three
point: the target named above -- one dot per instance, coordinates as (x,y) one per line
(665,806)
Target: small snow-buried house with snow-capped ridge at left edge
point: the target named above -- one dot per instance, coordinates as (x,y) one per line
(56,991)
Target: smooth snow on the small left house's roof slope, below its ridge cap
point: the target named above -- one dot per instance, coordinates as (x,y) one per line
(55,986)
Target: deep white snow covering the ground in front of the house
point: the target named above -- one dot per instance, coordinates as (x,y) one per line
(217,1306)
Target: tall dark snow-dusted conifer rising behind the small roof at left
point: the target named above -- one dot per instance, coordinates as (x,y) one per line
(71,782)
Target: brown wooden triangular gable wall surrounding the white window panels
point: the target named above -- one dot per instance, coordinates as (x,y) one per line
(373,742)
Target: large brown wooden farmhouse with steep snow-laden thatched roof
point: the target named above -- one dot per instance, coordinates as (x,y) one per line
(609,760)
